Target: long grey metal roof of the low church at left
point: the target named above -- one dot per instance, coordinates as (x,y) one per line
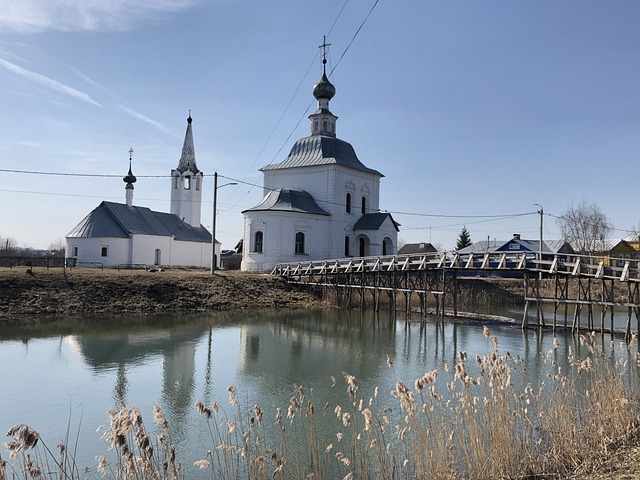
(118,220)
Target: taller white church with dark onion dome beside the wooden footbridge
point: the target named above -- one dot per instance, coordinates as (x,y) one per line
(321,202)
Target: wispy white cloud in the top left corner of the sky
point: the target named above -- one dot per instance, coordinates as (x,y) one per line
(79,15)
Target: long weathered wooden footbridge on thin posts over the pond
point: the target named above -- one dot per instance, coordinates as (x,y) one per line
(586,285)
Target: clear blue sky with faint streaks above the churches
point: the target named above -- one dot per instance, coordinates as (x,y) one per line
(469,108)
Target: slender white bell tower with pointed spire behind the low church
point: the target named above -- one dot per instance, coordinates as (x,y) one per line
(186,183)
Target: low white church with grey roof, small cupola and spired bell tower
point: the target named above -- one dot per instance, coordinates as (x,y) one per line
(116,234)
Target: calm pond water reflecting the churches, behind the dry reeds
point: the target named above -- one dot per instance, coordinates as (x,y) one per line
(63,378)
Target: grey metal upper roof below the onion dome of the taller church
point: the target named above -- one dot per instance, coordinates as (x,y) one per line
(321,150)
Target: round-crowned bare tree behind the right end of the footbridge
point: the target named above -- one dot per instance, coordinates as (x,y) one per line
(584,226)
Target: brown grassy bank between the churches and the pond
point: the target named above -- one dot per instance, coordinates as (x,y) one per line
(25,293)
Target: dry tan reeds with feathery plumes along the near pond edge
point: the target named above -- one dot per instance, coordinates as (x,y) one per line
(476,420)
